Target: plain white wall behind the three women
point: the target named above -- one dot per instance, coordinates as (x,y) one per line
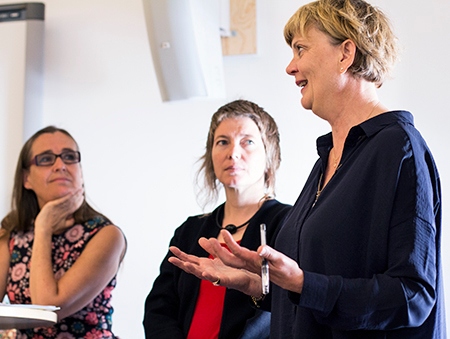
(139,153)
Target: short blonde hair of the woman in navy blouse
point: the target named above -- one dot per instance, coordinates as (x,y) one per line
(367,26)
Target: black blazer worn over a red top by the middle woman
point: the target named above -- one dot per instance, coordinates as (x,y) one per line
(170,304)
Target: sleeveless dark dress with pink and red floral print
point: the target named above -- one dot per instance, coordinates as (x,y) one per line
(91,322)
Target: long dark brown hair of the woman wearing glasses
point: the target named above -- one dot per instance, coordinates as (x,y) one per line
(24,203)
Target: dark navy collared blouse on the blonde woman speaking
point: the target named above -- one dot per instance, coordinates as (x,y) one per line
(370,246)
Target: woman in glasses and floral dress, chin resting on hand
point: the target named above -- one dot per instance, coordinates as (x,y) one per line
(55,249)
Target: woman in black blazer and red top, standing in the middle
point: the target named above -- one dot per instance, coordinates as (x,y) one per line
(242,155)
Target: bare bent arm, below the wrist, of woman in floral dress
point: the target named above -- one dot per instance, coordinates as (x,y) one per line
(96,266)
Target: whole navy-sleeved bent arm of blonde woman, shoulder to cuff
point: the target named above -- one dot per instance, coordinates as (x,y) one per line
(405,293)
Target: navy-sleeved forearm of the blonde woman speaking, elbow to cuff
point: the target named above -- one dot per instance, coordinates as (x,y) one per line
(384,302)
